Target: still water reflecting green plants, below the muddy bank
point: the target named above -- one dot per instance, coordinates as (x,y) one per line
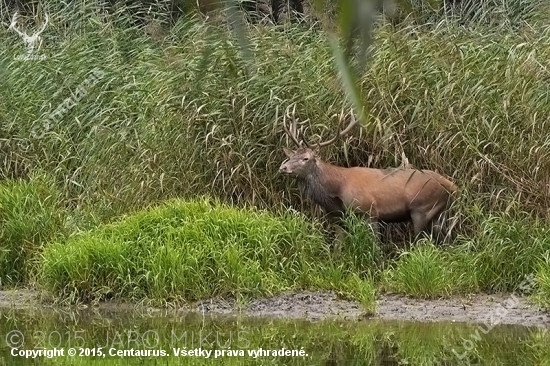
(108,337)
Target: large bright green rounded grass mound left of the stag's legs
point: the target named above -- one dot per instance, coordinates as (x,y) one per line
(190,250)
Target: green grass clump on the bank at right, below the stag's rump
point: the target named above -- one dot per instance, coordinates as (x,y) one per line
(504,250)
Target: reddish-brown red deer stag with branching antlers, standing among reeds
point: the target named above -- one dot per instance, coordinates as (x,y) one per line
(385,195)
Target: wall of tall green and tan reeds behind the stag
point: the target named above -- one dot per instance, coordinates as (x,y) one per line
(182,116)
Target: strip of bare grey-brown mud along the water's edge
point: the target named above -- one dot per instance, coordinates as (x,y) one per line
(316,305)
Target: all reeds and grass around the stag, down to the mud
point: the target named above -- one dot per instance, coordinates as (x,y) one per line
(178,112)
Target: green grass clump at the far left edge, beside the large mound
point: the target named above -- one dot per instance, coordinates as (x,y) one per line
(31,213)
